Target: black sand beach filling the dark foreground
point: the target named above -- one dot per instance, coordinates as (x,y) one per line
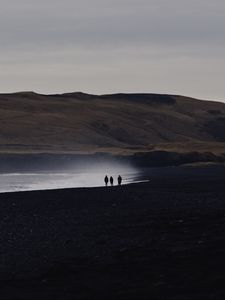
(160,240)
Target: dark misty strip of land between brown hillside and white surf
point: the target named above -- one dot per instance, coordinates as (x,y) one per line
(25,162)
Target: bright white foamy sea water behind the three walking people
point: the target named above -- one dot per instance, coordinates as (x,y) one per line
(14,182)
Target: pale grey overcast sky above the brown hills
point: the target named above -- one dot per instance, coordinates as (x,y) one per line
(110,46)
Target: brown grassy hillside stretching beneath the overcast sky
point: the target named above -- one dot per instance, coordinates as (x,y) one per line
(78,122)
